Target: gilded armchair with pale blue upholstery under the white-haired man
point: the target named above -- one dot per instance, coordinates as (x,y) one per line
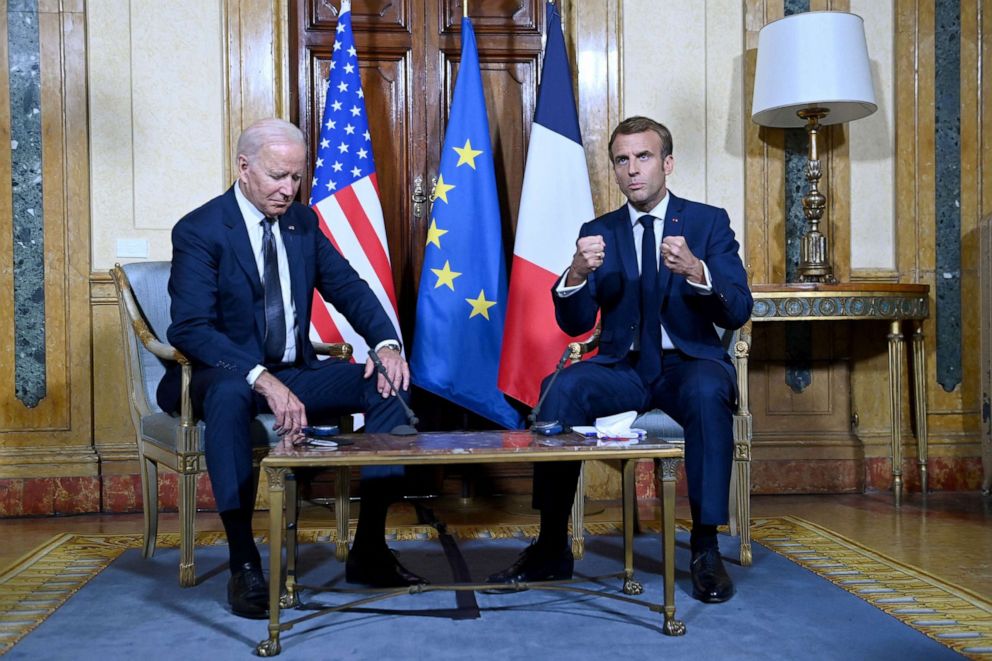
(164,439)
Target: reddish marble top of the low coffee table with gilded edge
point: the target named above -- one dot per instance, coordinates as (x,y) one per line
(463,447)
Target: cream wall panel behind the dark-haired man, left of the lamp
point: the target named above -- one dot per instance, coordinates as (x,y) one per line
(682,66)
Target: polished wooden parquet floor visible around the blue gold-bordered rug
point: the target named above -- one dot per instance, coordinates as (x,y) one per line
(948,534)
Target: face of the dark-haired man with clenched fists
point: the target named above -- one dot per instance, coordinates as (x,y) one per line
(639,168)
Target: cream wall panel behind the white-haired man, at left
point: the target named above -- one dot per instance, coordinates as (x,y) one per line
(156,79)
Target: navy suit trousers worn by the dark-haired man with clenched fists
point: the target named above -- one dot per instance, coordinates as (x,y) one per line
(699,394)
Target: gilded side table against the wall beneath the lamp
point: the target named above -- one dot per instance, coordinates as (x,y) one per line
(890,302)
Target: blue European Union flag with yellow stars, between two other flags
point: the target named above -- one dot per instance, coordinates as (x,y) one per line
(462,299)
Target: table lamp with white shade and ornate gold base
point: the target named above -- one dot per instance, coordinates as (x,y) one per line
(812,71)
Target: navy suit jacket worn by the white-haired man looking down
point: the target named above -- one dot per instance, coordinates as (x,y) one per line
(218,306)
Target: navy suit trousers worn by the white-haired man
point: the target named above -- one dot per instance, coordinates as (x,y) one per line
(328,388)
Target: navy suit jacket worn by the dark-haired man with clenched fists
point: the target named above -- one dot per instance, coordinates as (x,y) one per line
(687,314)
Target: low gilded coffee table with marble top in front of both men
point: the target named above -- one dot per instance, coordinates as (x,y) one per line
(460,448)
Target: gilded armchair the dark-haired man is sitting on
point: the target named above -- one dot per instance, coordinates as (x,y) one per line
(660,425)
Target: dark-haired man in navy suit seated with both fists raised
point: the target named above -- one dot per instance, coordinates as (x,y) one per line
(661,272)
